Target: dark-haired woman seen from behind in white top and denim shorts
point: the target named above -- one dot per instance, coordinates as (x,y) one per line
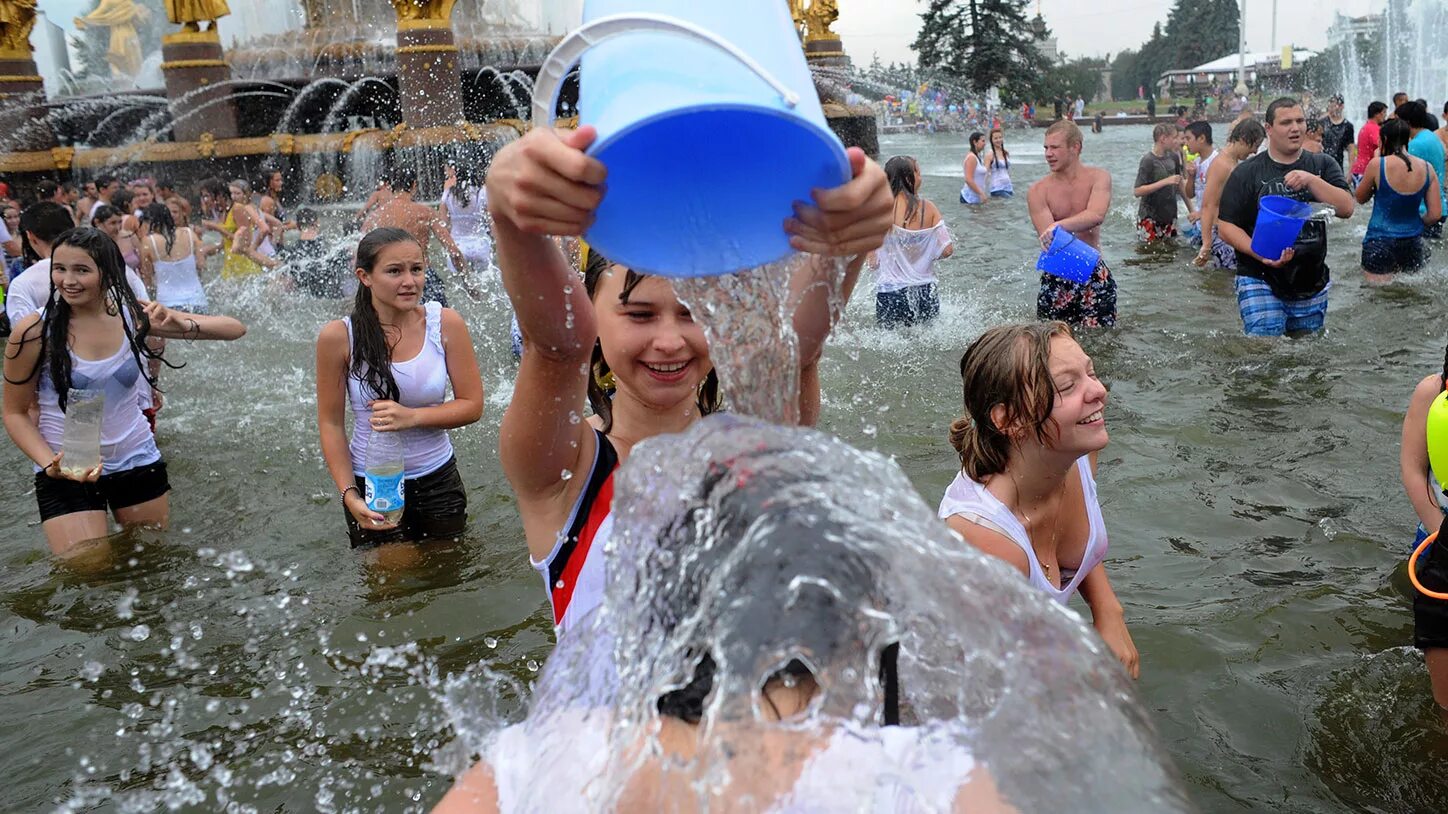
(906,266)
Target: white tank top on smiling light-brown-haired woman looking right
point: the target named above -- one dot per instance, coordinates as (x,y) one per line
(974,502)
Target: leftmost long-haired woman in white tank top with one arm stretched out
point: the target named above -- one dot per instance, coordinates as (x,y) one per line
(93,338)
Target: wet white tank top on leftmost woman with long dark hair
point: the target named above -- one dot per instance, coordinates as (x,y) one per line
(125,435)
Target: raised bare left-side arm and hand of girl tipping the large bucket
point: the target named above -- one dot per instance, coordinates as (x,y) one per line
(539,186)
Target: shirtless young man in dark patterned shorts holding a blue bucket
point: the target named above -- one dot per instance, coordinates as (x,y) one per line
(1077,199)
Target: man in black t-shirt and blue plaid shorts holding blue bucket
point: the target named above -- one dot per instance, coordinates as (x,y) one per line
(1291,292)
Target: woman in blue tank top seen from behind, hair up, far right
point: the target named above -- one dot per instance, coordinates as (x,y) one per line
(1405,201)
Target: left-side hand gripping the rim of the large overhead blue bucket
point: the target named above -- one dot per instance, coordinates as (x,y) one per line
(545,185)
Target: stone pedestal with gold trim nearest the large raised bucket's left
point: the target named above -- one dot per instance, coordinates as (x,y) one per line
(428,75)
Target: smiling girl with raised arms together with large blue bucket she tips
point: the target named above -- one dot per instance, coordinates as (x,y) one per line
(694,159)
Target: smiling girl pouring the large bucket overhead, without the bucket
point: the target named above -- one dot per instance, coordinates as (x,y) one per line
(619,343)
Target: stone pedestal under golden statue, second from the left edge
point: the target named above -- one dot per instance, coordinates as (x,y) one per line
(193,66)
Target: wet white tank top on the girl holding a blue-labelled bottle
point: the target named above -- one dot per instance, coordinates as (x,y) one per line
(422,382)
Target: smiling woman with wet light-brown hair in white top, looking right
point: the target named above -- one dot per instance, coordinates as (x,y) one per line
(1026,492)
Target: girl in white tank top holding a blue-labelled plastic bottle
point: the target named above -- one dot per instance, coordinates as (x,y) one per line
(395,358)
